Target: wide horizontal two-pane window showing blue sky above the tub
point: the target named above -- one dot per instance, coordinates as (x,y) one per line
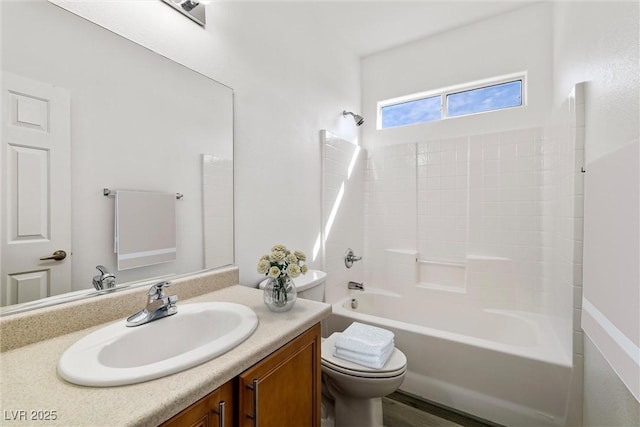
(479,97)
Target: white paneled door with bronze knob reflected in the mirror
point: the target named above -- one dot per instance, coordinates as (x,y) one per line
(35,191)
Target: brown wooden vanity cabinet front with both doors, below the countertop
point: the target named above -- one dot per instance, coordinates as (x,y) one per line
(283,389)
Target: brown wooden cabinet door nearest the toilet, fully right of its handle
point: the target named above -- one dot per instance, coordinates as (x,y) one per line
(284,388)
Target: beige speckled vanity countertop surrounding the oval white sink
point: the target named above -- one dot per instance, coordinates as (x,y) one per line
(32,390)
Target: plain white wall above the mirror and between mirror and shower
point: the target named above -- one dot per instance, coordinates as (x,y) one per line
(288,84)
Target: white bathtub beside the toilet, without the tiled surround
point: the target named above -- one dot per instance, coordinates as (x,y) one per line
(503,366)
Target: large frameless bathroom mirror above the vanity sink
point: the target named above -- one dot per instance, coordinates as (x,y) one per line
(135,121)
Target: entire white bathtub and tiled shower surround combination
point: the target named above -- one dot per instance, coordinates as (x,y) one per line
(470,258)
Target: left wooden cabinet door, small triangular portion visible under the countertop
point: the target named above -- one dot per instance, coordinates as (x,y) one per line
(214,410)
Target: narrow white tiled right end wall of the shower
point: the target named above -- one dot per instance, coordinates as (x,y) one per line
(564,217)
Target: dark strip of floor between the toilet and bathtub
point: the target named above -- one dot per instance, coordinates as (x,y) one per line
(404,410)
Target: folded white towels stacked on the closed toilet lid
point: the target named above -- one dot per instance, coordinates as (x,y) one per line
(366,339)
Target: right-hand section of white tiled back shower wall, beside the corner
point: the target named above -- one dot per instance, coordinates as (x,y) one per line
(506,183)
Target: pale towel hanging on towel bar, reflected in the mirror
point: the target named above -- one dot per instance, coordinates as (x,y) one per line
(145,228)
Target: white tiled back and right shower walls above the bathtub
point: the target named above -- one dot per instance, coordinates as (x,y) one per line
(512,200)
